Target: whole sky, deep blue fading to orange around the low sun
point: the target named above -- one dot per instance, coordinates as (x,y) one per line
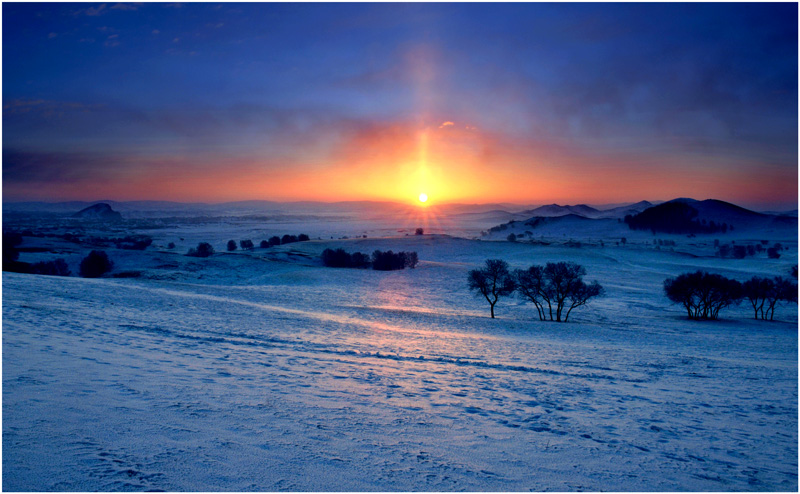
(528,103)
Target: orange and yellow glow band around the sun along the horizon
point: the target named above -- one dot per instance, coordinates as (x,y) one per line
(397,162)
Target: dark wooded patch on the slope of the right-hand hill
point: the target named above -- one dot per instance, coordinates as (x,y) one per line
(673,217)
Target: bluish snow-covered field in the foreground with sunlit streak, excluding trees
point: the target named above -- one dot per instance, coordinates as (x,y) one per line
(265,371)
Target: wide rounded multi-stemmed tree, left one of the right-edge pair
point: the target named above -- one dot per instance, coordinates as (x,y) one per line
(703,294)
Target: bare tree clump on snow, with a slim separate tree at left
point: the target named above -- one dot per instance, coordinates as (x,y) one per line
(555,289)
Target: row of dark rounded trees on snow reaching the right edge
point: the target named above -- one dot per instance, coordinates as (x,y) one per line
(704,294)
